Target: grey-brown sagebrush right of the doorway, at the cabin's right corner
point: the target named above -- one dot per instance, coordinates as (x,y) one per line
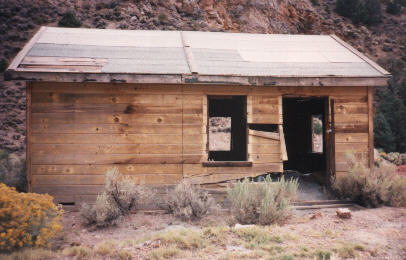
(371,187)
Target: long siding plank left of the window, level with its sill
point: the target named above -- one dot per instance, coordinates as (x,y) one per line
(77,158)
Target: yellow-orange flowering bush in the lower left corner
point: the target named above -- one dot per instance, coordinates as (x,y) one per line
(27,219)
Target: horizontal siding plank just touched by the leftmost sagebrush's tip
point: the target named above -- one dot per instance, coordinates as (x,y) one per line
(128,169)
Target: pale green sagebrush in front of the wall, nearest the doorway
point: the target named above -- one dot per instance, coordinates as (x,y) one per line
(264,202)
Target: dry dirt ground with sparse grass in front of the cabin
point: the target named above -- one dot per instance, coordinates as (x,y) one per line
(370,233)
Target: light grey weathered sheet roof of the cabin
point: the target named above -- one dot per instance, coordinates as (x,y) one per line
(202,53)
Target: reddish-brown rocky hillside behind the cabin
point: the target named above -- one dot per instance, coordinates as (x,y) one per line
(19,19)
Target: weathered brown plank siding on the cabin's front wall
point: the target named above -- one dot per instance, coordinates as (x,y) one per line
(158,133)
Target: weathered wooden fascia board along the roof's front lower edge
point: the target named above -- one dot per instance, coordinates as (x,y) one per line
(349,81)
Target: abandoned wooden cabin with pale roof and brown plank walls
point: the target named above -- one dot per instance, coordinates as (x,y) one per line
(152,103)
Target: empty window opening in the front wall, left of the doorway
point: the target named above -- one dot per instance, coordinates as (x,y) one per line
(227,128)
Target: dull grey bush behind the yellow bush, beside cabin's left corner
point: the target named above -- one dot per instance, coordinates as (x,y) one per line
(12,171)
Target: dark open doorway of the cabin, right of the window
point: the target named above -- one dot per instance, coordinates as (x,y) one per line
(305,128)
